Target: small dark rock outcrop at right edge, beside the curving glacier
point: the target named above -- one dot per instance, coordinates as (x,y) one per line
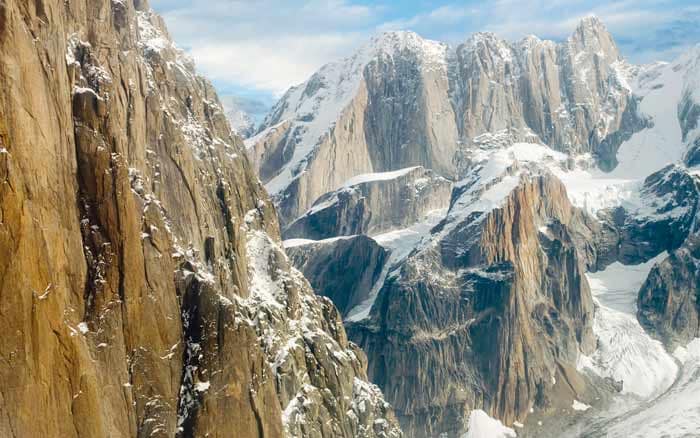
(669,301)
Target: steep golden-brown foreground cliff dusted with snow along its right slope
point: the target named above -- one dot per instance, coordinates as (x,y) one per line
(143,288)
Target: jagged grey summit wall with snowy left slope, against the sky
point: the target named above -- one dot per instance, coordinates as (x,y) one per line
(403,101)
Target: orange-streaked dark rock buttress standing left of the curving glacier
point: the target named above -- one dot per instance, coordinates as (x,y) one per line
(491,314)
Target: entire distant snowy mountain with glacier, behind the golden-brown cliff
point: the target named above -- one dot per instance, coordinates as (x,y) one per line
(553,271)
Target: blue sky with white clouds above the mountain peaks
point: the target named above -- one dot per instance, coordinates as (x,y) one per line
(256,49)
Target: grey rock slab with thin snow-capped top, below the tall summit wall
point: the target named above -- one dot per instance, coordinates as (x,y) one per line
(374,203)
